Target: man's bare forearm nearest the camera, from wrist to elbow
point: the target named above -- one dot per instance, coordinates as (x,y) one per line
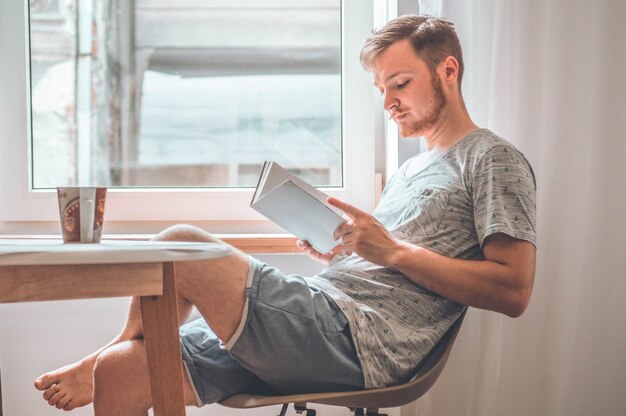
(485,284)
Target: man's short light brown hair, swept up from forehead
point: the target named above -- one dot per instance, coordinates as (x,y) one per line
(433,40)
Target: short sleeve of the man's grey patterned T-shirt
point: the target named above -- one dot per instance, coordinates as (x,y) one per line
(504,195)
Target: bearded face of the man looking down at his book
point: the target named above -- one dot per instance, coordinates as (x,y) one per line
(413,96)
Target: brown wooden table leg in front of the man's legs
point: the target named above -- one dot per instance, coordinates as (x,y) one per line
(160,327)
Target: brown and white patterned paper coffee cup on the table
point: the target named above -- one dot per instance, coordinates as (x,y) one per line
(81,211)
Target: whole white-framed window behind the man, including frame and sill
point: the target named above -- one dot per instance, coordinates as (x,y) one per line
(177,104)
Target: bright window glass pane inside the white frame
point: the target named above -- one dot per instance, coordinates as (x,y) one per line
(192,93)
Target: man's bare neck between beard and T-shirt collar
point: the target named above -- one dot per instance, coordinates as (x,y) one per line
(452,127)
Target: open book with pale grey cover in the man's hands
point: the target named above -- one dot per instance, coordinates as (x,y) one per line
(296,206)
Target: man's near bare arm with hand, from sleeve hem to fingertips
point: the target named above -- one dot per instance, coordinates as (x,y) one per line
(502,282)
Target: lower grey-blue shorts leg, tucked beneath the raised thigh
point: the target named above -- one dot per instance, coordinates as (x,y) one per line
(214,374)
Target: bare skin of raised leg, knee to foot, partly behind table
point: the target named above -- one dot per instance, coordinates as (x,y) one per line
(216,285)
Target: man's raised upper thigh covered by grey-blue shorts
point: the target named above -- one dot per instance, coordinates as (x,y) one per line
(294,336)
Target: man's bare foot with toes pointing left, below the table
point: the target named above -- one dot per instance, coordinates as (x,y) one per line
(68,387)
